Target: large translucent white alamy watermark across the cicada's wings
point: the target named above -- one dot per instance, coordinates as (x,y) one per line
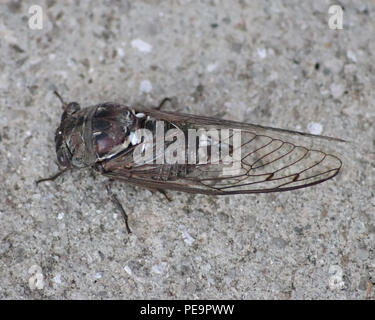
(212,146)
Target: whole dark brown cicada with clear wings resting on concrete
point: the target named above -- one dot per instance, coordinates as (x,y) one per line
(163,151)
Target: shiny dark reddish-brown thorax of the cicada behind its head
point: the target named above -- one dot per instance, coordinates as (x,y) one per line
(100,133)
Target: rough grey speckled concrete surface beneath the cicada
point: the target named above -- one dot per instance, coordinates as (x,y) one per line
(270,62)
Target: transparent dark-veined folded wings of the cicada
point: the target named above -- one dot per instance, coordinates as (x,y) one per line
(271,160)
